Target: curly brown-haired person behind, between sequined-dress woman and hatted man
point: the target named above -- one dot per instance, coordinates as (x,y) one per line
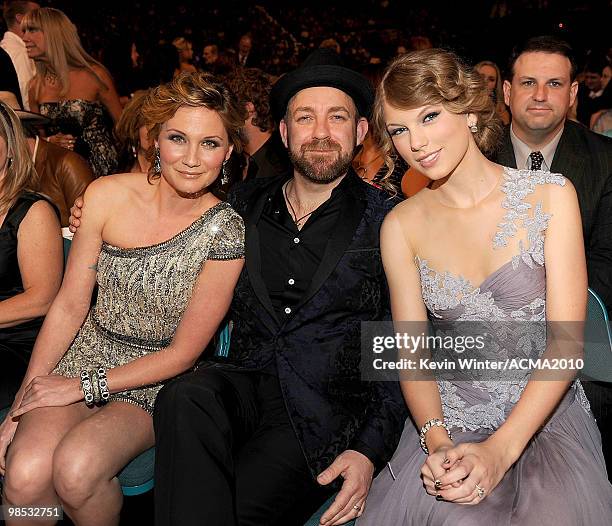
(266,156)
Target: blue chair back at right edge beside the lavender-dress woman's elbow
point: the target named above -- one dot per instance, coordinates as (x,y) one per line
(598,341)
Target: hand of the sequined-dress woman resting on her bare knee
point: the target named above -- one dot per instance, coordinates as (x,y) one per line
(49,391)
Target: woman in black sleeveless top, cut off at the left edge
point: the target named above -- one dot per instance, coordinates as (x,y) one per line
(31,259)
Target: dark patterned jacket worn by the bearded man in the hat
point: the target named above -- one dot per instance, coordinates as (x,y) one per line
(318,350)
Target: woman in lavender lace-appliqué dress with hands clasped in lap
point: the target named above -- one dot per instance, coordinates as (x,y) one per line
(493,253)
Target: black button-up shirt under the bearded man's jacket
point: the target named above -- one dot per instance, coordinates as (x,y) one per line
(290,257)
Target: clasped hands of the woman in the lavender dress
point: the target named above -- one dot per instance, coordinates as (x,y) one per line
(453,473)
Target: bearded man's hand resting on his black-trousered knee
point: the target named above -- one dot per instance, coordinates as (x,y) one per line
(357,470)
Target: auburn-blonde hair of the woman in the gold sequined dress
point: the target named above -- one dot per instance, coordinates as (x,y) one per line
(196,90)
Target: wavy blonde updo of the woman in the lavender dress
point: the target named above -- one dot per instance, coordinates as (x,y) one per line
(435,76)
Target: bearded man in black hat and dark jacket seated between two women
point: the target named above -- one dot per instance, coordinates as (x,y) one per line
(266,435)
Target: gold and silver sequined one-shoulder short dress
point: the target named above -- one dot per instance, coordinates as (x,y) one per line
(142,294)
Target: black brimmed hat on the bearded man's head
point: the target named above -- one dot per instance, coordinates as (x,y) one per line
(322,67)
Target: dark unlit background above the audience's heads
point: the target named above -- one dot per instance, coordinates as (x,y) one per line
(284,32)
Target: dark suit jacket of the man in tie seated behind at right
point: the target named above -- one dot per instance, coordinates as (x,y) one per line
(585,158)
